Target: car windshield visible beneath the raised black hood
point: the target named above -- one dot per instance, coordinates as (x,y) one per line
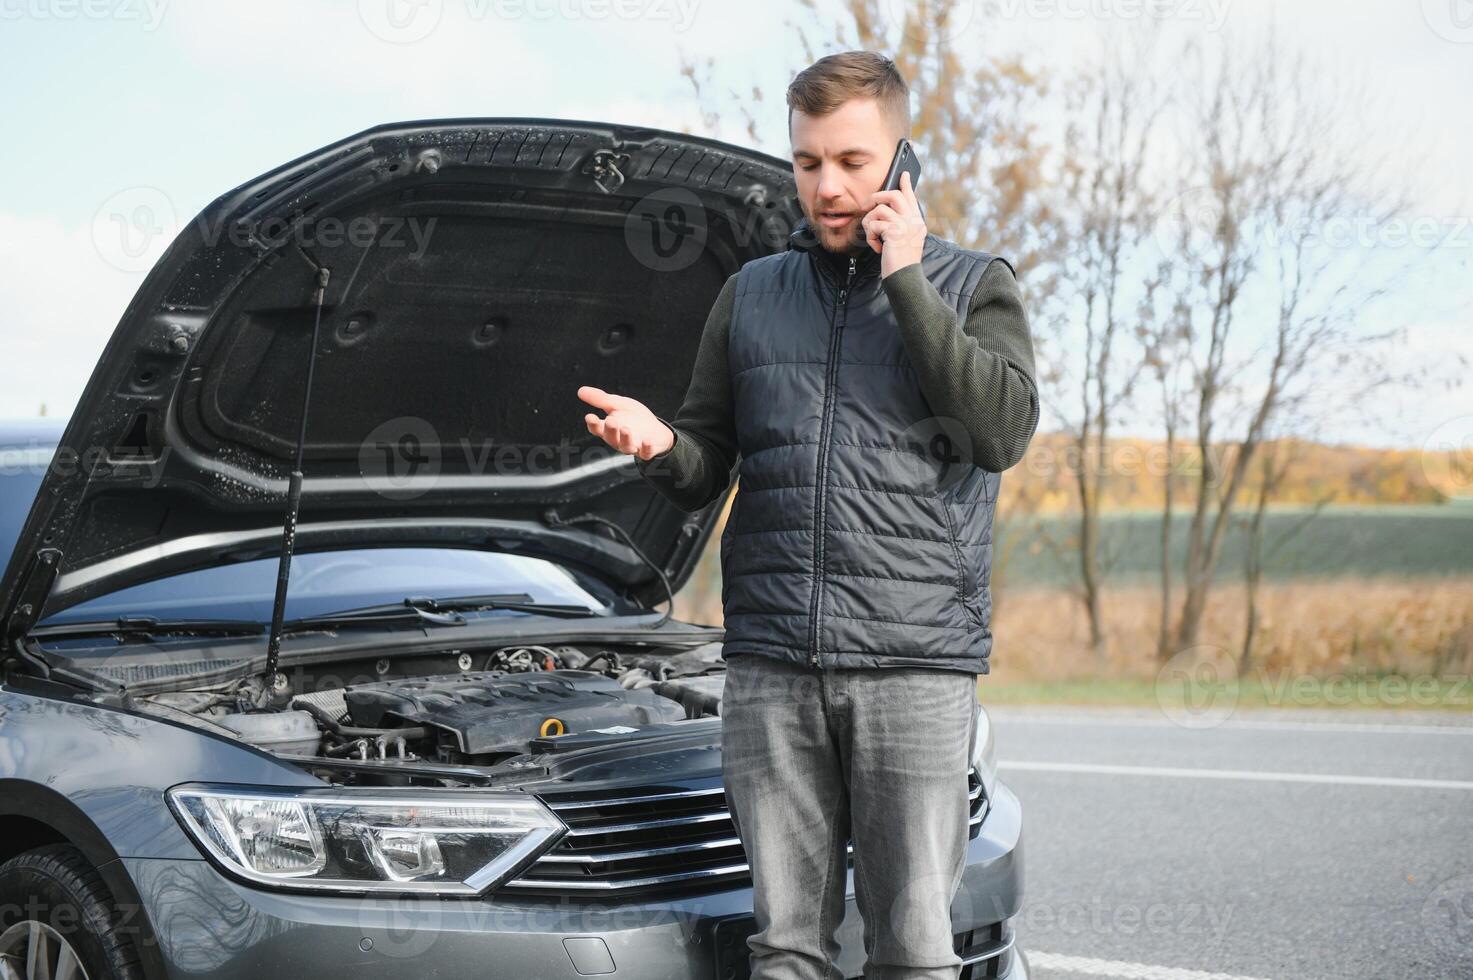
(335,581)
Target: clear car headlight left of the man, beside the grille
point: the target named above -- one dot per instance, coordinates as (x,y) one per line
(381,841)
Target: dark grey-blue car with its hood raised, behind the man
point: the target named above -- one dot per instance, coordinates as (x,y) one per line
(334,642)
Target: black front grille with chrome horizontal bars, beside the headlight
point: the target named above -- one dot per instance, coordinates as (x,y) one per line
(646,842)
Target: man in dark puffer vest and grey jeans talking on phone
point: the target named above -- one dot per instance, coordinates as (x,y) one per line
(876,381)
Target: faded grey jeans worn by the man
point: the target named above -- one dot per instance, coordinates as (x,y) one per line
(817,758)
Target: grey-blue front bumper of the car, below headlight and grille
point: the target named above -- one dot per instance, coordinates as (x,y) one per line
(210,928)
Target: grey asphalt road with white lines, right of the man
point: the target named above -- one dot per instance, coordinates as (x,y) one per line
(1268,847)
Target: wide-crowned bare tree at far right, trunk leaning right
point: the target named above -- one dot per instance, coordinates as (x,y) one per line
(1276,300)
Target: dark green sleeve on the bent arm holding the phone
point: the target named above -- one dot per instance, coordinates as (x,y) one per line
(980,374)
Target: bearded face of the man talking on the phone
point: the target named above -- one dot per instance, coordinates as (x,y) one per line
(840,161)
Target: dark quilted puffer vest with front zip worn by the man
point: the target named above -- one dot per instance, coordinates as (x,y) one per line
(858,537)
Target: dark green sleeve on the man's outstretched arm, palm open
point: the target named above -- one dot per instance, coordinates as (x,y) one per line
(697,468)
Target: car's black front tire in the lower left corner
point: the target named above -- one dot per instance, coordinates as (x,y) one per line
(55,903)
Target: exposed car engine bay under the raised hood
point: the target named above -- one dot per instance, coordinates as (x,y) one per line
(484,710)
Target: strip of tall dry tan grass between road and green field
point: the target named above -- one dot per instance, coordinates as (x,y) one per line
(1354,643)
